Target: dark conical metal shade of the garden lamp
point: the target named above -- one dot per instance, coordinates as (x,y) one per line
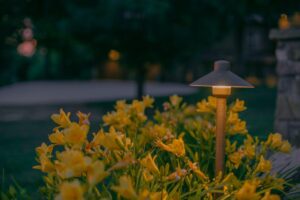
(221,76)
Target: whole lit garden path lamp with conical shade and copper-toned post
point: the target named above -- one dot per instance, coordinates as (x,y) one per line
(221,80)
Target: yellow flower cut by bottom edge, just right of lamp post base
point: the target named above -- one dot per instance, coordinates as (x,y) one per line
(247,192)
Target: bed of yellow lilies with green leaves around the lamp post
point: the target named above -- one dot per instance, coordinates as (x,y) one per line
(166,154)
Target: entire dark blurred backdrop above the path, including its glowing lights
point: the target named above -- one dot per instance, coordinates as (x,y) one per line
(153,39)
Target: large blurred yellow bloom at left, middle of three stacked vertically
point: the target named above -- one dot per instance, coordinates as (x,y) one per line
(71,163)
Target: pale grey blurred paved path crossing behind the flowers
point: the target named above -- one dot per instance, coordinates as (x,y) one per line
(70,92)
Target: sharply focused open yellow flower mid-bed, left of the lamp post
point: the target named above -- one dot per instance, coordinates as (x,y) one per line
(176,147)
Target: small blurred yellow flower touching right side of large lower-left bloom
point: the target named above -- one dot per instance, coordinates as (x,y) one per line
(96,172)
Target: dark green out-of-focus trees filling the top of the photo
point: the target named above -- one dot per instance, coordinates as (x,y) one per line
(74,37)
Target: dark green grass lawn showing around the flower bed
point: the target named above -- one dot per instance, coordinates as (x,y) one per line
(18,139)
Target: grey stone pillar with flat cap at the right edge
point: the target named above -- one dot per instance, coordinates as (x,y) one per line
(287,117)
